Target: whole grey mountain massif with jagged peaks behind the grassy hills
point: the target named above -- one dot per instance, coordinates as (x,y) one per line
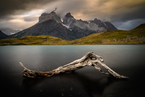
(68,29)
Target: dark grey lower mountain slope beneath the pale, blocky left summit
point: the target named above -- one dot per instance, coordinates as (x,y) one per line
(48,27)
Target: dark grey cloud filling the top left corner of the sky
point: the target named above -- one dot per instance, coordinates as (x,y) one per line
(10,7)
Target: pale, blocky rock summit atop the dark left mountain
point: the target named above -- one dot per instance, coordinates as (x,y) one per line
(48,16)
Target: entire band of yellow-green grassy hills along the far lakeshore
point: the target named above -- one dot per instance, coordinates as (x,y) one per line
(134,36)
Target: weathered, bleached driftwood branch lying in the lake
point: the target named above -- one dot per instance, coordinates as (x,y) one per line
(90,59)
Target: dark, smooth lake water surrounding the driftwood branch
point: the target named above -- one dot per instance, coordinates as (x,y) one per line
(128,60)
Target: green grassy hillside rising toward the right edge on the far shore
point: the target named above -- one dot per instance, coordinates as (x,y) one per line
(134,36)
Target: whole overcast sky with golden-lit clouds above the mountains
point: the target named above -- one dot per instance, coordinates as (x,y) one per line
(21,14)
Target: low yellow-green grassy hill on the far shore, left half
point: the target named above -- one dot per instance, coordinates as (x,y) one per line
(34,40)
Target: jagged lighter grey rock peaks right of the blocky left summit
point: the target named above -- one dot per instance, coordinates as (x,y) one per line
(92,25)
